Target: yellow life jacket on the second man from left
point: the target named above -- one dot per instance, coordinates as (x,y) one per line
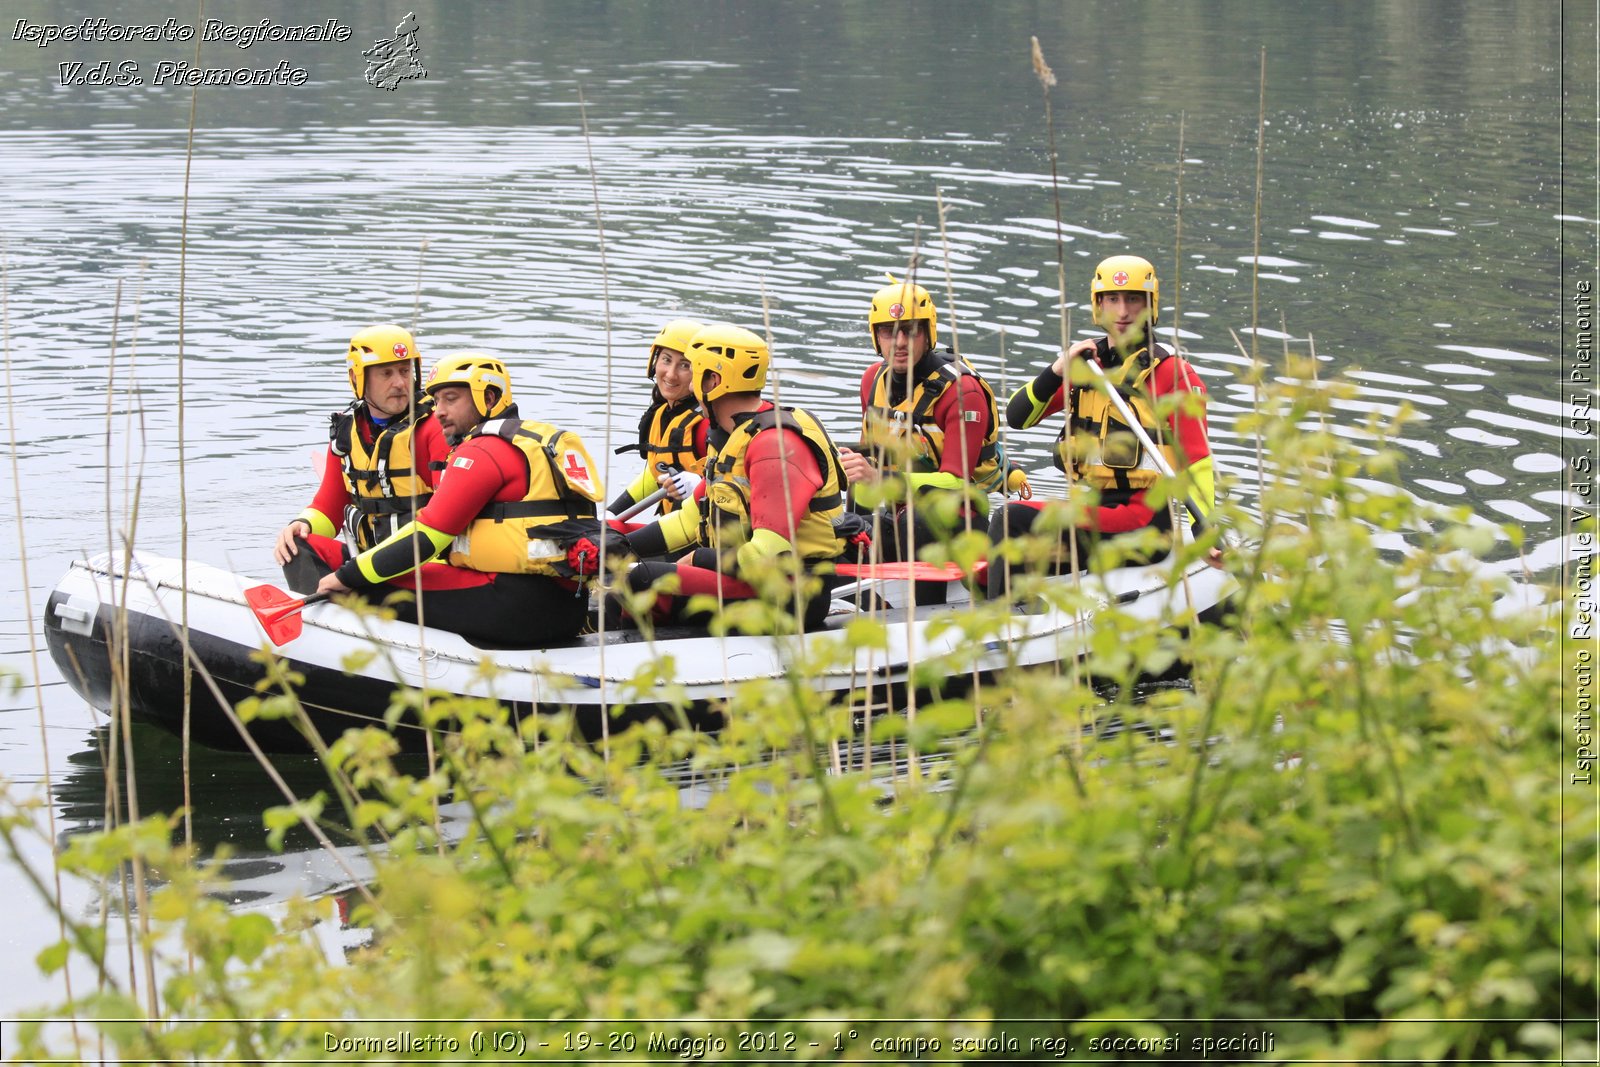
(564,484)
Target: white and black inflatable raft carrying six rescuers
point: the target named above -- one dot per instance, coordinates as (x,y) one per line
(98,605)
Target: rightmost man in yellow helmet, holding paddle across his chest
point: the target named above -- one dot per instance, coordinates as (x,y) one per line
(1095,442)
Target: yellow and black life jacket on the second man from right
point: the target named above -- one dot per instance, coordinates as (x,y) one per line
(894,428)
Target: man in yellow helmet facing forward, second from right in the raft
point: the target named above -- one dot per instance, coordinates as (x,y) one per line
(929,422)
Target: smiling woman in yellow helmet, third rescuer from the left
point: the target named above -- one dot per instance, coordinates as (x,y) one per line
(673,430)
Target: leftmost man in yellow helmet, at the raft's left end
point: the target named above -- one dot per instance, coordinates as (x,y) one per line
(382,462)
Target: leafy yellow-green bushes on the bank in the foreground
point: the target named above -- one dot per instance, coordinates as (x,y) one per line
(1356,844)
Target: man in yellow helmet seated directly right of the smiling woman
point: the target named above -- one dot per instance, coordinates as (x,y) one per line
(774,489)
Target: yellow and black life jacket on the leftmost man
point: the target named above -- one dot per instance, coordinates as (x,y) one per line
(380,478)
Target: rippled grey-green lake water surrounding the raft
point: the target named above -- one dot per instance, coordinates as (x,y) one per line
(1417,202)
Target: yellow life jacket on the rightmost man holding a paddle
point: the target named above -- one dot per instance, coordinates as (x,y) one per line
(1113,455)
